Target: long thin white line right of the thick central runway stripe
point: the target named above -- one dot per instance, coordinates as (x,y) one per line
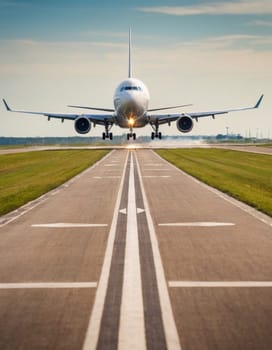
(170,329)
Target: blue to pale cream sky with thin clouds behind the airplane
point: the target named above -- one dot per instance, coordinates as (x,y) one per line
(212,54)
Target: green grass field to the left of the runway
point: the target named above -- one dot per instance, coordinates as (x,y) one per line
(26,176)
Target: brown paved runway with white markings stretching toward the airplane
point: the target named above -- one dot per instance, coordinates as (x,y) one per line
(135,254)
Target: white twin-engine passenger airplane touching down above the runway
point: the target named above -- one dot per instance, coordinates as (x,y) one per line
(131,100)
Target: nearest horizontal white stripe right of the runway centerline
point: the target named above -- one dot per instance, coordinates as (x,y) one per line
(227,284)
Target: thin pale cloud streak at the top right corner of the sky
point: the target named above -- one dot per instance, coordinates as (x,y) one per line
(242,7)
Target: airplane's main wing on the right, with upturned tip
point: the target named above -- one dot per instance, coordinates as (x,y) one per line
(167,118)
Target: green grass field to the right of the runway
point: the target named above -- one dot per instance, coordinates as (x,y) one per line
(245,176)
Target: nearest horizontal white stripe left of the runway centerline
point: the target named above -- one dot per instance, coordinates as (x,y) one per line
(49,285)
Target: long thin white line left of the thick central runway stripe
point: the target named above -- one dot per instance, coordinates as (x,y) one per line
(92,333)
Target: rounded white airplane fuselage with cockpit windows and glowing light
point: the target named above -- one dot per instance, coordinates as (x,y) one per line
(131,100)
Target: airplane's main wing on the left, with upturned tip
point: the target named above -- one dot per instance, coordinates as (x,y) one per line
(95,118)
